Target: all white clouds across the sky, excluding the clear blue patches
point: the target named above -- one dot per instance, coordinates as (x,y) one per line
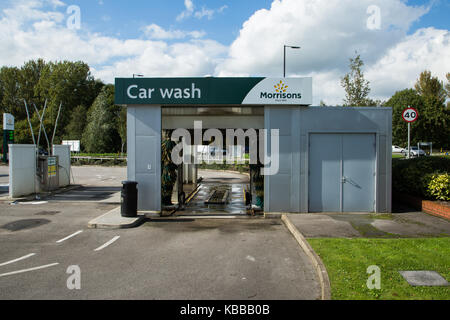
(329,31)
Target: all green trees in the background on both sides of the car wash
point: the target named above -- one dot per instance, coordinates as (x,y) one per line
(90,115)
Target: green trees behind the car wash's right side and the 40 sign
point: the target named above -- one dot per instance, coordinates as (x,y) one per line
(428,97)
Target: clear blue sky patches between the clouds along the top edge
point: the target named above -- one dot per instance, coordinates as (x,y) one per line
(124,19)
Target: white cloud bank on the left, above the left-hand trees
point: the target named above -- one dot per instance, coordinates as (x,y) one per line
(38,34)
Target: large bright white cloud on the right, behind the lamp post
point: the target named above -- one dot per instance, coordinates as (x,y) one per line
(329,32)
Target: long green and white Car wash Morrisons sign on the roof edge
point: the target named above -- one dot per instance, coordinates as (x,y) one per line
(213,91)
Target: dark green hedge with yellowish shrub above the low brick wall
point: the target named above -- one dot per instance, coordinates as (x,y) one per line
(425,177)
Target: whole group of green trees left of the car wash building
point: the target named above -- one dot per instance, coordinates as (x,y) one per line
(88,112)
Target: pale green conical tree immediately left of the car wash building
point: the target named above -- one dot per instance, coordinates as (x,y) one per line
(100,134)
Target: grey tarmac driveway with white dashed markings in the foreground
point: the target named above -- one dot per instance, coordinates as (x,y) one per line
(185,259)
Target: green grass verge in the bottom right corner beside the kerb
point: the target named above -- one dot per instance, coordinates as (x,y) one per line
(347,260)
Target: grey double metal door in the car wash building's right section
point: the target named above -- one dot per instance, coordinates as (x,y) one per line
(342,172)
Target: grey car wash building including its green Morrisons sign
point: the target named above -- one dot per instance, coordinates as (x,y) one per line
(320,159)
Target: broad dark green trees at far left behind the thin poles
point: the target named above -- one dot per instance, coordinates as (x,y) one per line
(37,81)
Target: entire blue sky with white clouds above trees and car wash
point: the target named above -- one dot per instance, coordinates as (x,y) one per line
(397,39)
